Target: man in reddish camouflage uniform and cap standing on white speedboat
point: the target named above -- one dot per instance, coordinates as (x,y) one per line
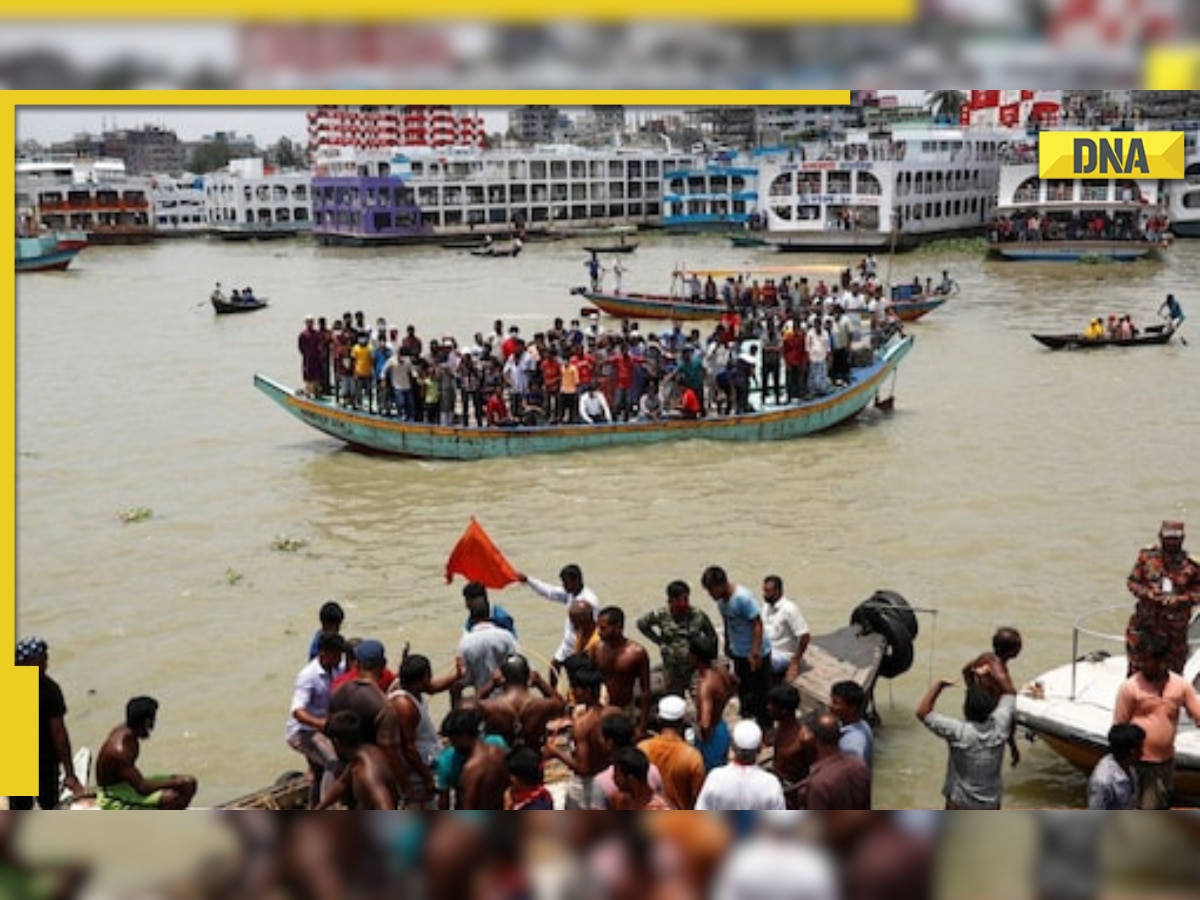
(1167,583)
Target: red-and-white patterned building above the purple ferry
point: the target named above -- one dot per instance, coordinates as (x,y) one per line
(393,127)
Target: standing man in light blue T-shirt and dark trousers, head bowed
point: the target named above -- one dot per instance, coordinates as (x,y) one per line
(745,643)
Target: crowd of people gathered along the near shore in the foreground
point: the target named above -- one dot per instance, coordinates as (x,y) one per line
(718,729)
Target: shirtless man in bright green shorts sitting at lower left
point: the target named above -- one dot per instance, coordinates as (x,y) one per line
(122,784)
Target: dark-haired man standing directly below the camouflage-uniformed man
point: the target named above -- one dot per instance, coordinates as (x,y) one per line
(1153,699)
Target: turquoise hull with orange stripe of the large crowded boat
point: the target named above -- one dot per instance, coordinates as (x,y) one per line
(424,441)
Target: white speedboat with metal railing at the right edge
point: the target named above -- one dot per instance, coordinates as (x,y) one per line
(1071,707)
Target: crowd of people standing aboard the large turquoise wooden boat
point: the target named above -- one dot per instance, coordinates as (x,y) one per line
(775,344)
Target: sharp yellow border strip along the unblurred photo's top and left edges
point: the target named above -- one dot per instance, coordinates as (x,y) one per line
(19,687)
